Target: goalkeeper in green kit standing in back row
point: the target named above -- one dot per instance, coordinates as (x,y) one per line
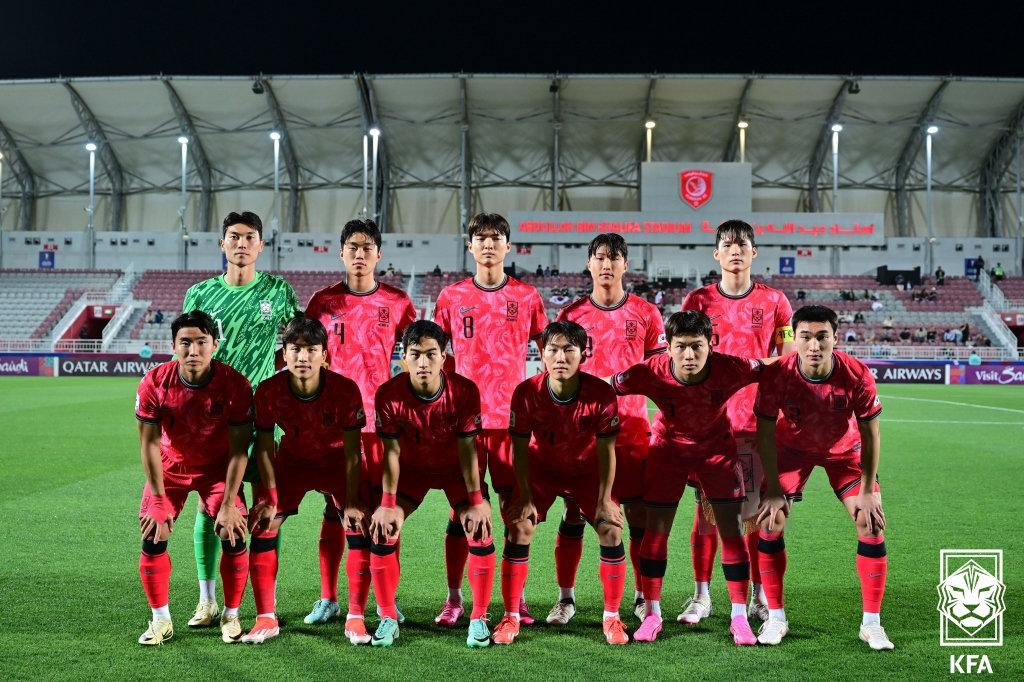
(248,309)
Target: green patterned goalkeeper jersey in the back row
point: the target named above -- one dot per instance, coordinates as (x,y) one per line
(248,319)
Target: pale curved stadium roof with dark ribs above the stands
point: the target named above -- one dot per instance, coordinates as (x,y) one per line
(504,129)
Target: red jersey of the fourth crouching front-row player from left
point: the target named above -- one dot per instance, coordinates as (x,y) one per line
(565,434)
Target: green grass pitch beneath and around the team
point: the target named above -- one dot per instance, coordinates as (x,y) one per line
(953,465)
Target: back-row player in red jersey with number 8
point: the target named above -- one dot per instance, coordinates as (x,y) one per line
(482,315)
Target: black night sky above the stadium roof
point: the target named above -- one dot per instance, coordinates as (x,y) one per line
(51,39)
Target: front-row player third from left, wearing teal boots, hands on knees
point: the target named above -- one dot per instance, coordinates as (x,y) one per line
(430,420)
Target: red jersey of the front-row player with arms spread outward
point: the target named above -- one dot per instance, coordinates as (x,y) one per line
(690,414)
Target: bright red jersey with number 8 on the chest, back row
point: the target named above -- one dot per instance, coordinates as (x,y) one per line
(490,330)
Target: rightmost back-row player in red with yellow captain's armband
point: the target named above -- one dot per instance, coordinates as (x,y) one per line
(750,321)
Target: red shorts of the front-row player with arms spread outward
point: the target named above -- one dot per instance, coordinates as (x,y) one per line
(715,467)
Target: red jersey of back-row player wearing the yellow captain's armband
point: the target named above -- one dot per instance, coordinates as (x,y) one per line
(752,325)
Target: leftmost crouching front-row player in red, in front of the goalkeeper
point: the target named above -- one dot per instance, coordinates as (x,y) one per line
(195,423)
